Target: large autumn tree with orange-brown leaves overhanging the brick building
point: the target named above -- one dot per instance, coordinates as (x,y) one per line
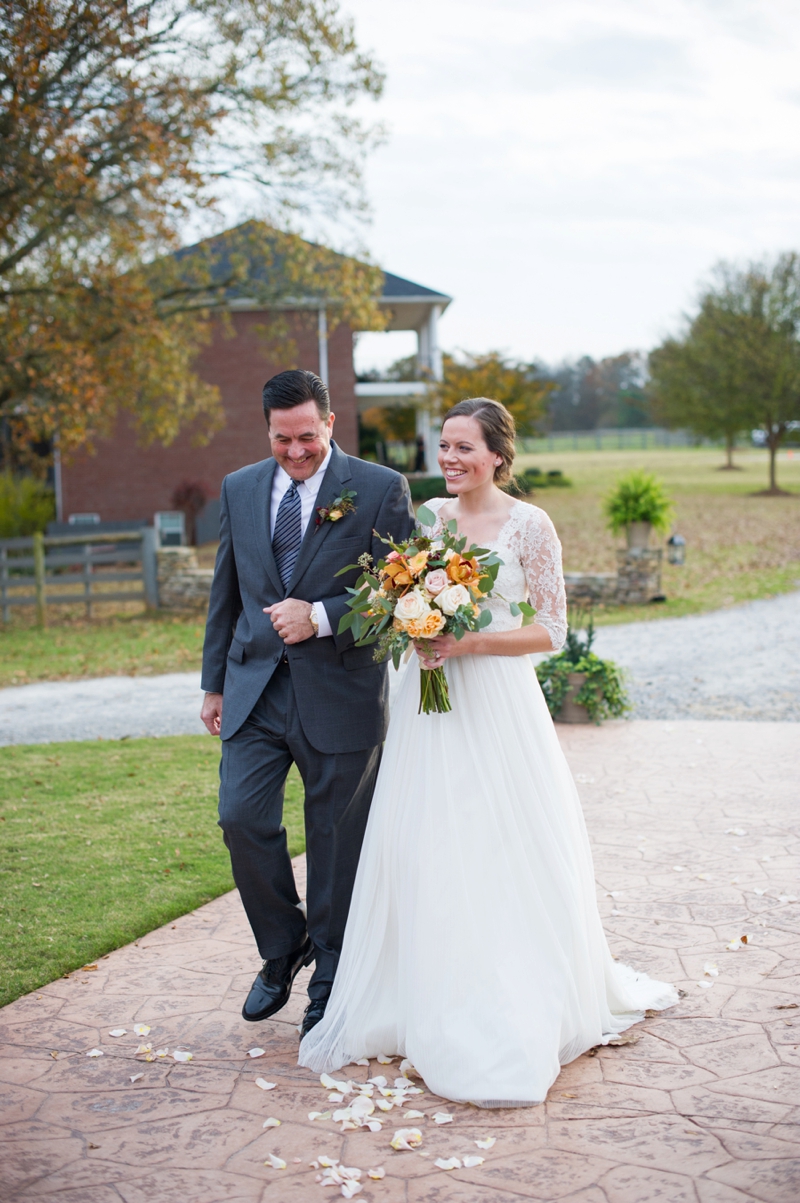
(120,120)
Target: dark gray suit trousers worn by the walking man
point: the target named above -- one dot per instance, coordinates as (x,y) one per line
(339,792)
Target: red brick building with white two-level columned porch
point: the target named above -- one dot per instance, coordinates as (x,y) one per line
(125,481)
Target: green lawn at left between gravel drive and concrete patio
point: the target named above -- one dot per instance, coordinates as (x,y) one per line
(102,843)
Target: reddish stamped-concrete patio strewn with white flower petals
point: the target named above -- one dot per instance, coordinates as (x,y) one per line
(695,828)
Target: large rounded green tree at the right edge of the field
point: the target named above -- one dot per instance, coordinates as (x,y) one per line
(738,365)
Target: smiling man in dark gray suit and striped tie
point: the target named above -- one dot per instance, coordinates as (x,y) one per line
(283,686)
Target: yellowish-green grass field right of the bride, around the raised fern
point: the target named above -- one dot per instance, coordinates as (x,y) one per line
(739,547)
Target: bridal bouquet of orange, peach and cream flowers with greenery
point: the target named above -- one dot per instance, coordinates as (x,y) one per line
(424,588)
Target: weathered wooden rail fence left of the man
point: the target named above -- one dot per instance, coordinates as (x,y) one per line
(78,570)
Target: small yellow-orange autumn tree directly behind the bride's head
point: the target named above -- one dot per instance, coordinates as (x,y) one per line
(515,386)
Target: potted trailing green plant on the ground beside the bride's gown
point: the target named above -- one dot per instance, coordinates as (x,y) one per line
(580,688)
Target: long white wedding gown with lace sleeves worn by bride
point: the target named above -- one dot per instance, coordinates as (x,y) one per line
(475,945)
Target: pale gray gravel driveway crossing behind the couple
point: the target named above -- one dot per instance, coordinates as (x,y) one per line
(737,665)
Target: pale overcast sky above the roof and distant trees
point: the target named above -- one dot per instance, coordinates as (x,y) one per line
(570,171)
